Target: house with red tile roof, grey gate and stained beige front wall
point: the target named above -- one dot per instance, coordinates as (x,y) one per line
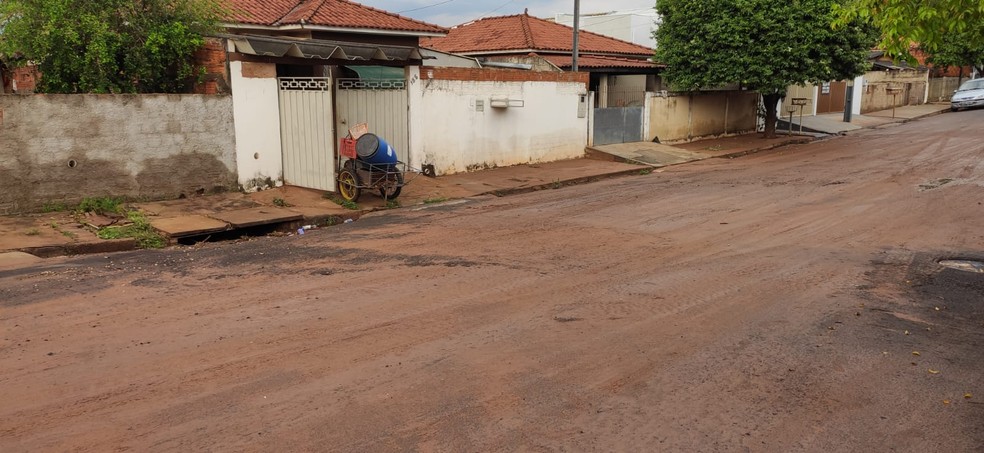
(631,102)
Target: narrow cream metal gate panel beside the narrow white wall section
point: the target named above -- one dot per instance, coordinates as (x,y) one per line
(306,132)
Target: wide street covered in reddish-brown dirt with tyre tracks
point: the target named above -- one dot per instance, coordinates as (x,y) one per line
(785,301)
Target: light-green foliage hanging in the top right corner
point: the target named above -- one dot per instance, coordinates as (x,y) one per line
(929,23)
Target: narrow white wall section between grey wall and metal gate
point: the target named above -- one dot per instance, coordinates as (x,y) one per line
(256,112)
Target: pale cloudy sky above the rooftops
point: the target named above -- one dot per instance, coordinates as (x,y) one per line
(454,12)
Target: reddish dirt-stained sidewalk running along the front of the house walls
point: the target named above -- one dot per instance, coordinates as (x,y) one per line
(25,238)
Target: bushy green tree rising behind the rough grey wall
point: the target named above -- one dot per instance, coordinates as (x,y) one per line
(108,46)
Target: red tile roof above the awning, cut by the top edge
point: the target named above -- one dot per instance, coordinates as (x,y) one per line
(328,13)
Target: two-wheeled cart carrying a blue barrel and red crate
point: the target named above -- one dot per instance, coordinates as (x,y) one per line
(369,164)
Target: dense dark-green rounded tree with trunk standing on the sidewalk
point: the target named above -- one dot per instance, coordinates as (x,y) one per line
(765,45)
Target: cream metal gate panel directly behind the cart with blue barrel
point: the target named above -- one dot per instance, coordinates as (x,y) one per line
(382,103)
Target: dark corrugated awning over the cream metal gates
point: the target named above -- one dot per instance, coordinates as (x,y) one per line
(321,49)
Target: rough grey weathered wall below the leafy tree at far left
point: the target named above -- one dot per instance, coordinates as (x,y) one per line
(62,148)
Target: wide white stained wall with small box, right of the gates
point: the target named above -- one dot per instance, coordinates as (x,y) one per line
(449,132)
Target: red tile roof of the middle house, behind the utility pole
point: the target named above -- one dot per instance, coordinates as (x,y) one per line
(523,32)
